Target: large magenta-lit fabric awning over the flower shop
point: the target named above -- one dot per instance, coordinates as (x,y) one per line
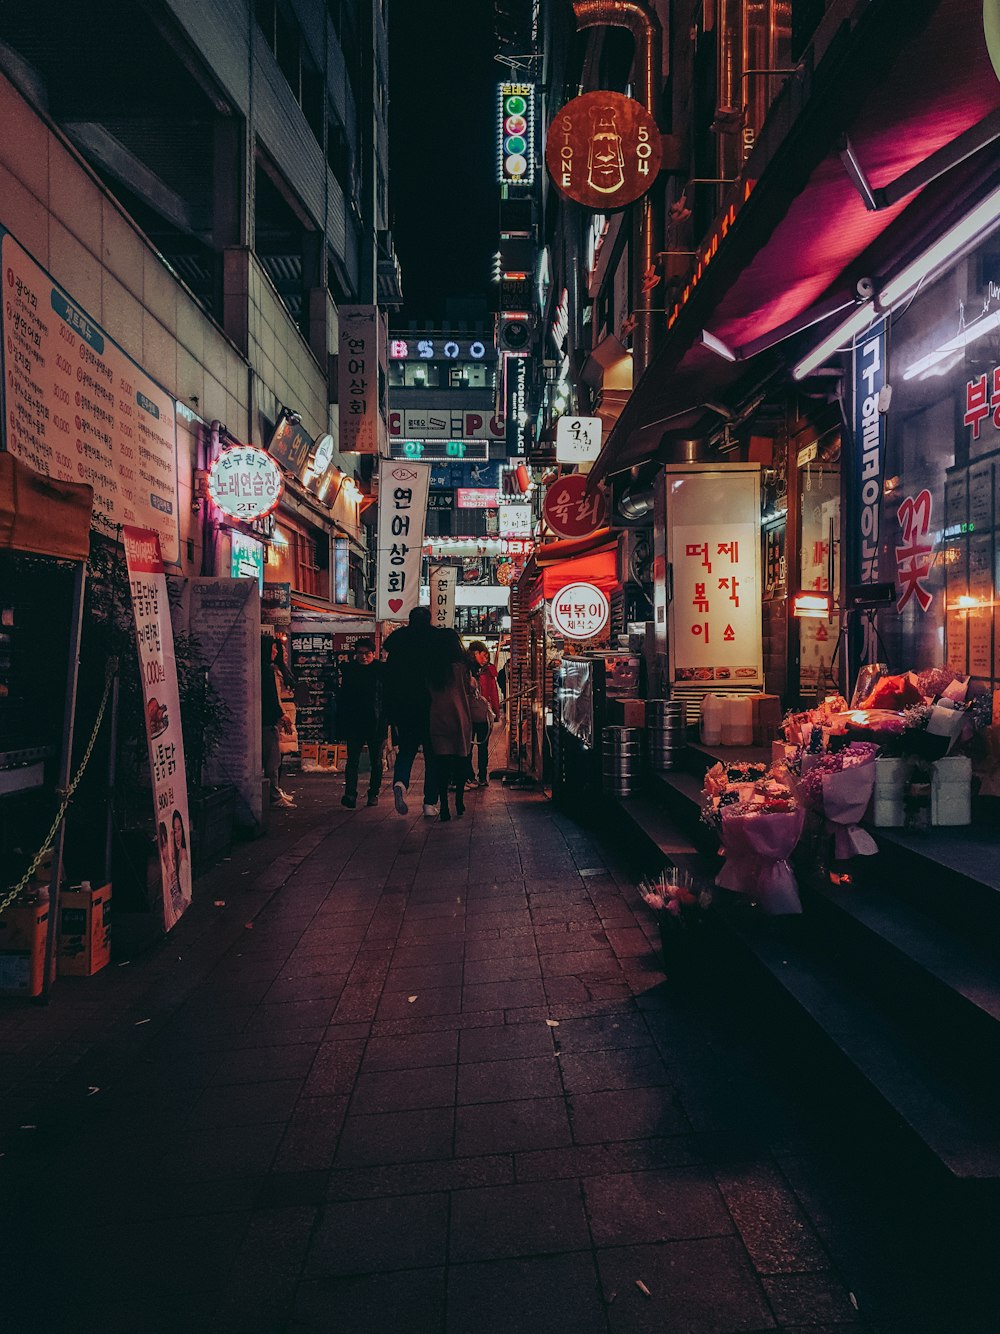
(902,89)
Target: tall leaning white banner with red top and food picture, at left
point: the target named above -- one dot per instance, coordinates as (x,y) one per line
(159,672)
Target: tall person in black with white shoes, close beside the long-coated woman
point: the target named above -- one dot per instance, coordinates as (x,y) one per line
(409,706)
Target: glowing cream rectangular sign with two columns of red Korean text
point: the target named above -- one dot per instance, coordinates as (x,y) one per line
(715,562)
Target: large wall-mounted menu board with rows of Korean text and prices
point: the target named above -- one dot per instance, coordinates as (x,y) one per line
(79,410)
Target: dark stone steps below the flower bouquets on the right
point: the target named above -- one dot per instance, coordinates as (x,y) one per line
(895,978)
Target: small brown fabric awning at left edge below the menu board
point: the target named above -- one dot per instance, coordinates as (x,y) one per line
(43,517)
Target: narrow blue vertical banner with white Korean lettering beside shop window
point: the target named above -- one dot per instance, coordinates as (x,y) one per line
(870,378)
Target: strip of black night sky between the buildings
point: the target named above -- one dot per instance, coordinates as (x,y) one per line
(443,194)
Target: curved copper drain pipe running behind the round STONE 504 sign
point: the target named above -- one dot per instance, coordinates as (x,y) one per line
(649,215)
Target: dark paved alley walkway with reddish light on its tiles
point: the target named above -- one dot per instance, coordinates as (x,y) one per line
(397,1076)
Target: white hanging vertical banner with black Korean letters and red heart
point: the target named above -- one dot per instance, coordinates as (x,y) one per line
(403,489)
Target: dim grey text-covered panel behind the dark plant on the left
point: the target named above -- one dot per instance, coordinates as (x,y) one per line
(225,617)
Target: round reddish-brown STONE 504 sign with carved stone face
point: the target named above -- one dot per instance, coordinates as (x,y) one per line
(603,150)
